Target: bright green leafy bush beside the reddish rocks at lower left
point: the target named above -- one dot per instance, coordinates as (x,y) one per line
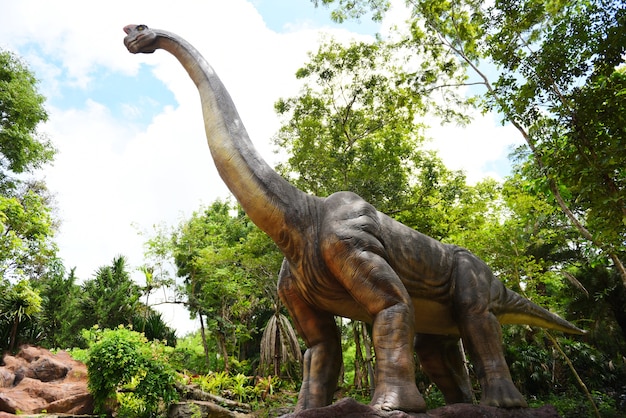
(125,368)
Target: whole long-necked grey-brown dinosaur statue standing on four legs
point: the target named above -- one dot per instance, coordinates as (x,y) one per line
(344,258)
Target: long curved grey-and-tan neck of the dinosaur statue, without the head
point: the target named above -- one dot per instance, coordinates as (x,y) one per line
(263,194)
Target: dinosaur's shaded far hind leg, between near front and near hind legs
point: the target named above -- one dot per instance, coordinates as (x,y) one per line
(441,358)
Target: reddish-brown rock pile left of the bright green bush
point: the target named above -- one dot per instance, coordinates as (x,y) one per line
(36,380)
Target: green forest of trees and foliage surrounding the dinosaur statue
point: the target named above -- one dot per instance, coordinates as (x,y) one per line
(554,230)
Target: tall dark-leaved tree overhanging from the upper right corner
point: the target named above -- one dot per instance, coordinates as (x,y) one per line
(556,77)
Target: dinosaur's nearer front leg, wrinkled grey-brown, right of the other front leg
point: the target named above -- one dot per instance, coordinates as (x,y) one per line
(376,287)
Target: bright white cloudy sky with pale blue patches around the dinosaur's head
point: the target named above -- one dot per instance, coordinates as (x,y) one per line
(128,128)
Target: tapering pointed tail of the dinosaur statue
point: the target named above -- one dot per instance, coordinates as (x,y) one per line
(515,309)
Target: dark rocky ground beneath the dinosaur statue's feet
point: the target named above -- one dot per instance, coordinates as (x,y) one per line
(349,408)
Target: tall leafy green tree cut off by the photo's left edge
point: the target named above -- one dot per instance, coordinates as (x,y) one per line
(26,224)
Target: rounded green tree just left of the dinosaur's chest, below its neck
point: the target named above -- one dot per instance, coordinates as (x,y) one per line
(226,263)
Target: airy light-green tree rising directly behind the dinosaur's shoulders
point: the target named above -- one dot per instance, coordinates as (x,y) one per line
(352,127)
